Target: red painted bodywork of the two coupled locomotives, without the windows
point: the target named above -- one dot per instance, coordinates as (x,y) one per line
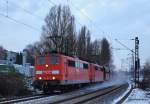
(68,73)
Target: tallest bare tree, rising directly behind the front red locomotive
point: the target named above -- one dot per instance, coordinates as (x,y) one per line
(59,26)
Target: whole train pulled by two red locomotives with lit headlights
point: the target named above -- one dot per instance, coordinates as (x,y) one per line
(57,71)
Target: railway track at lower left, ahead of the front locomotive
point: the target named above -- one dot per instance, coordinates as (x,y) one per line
(21,99)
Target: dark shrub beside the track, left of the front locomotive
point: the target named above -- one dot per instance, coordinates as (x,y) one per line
(12,84)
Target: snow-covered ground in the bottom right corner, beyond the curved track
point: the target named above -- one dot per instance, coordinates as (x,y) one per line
(138,96)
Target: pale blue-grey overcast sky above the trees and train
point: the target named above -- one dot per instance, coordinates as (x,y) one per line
(113,19)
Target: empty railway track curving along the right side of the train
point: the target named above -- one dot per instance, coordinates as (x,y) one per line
(83,98)
